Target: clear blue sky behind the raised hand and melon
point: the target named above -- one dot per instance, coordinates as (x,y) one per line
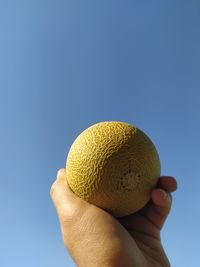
(65,65)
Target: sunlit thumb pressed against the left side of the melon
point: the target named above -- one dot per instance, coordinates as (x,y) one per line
(65,201)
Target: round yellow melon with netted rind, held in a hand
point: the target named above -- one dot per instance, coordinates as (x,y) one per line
(114,166)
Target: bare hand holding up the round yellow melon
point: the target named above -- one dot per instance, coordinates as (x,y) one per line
(94,238)
